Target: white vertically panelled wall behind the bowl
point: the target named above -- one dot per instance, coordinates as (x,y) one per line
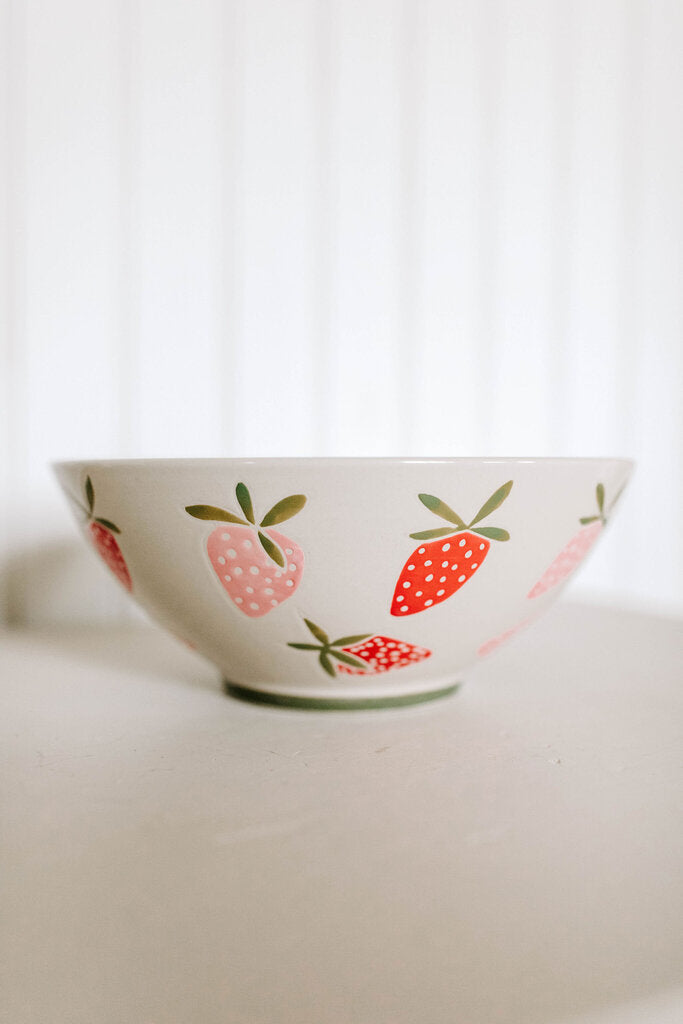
(338,228)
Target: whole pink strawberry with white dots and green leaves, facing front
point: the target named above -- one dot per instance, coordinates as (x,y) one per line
(259,567)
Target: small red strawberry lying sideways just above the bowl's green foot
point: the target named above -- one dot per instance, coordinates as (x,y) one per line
(366,655)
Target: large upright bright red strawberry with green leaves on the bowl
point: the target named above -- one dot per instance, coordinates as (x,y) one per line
(451,556)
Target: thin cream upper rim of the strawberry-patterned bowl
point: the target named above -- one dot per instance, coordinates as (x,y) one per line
(330,461)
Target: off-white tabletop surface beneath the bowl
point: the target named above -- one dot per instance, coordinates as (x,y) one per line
(510,856)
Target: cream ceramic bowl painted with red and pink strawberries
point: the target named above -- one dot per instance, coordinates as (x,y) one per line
(344,582)
